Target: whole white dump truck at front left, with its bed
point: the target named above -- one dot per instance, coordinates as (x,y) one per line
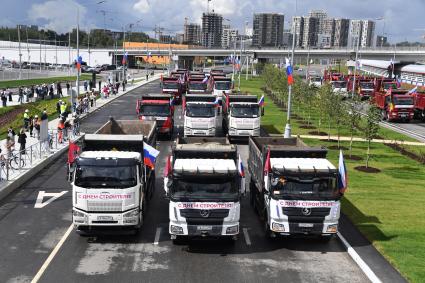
(111,183)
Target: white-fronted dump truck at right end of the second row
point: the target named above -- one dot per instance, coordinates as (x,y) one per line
(241,115)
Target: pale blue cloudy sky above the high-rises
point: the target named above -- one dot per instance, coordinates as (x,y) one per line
(401,22)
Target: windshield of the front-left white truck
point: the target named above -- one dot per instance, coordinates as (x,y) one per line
(106,176)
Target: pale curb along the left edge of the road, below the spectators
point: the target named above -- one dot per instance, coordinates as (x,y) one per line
(17,183)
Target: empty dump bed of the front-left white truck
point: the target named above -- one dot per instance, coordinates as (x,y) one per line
(121,135)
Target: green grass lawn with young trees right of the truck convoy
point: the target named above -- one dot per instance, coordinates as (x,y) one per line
(387,207)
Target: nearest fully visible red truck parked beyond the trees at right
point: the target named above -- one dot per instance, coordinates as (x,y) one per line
(395,105)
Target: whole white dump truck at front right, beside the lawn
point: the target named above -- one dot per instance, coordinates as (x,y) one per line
(293,187)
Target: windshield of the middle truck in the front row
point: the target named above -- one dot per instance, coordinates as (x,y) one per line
(205,188)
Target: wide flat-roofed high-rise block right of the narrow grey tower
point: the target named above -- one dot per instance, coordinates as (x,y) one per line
(268,29)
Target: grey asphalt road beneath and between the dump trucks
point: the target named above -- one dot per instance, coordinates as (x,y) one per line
(29,235)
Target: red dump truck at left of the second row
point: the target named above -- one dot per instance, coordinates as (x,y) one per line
(158,107)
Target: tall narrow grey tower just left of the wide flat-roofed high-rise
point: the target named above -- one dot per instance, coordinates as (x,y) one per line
(212,28)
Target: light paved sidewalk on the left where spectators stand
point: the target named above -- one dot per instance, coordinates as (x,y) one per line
(38,153)
